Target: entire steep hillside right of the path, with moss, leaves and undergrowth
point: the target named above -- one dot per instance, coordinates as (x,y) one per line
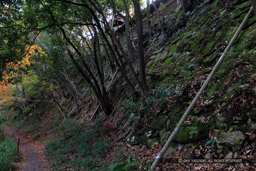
(222,125)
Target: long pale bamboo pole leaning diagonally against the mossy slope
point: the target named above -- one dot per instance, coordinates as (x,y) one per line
(193,103)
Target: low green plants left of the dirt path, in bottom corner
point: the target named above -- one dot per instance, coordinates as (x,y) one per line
(8,151)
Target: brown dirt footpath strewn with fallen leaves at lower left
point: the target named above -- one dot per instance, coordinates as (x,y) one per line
(33,157)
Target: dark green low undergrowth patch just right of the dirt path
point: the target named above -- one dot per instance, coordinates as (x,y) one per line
(77,149)
